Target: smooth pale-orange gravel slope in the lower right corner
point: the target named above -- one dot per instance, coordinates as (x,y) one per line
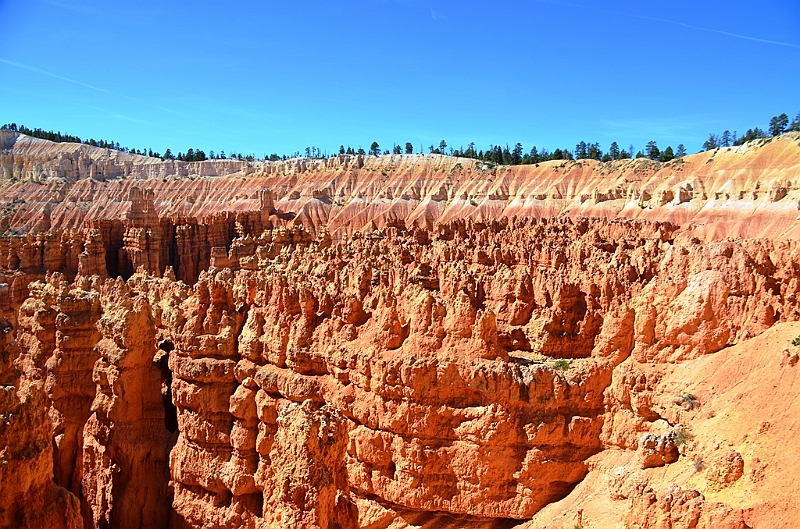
(749,402)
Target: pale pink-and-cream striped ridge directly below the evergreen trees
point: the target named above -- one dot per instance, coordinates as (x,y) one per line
(748,191)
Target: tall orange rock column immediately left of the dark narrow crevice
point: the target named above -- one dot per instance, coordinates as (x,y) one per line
(125,457)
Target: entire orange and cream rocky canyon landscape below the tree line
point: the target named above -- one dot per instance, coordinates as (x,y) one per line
(398,341)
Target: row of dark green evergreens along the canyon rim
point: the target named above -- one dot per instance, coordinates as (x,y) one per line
(495,154)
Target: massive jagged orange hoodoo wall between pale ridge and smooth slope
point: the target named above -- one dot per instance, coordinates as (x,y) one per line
(317,382)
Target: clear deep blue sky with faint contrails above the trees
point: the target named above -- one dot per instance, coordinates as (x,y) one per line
(263,77)
